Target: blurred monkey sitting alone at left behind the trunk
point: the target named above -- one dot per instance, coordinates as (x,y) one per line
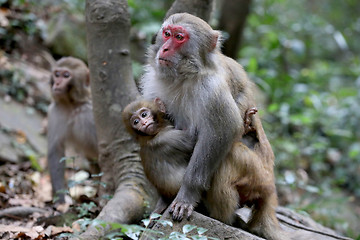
(70,119)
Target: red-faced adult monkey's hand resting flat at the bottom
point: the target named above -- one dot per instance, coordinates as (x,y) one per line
(183,205)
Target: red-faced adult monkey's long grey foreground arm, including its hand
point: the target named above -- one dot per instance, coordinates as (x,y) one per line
(215,136)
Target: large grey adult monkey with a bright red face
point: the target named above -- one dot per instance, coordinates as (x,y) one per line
(206,93)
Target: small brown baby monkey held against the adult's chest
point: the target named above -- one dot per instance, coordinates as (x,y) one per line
(165,151)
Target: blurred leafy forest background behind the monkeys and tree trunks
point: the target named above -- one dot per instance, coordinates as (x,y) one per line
(303,55)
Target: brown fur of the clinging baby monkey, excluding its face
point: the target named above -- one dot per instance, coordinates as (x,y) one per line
(166,152)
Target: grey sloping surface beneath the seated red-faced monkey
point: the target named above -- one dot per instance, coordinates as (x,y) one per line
(293,225)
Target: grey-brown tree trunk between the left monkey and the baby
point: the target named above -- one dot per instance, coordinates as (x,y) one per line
(113,87)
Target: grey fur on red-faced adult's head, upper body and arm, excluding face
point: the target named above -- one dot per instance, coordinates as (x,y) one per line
(205,93)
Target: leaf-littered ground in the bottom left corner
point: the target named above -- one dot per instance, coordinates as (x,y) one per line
(27,211)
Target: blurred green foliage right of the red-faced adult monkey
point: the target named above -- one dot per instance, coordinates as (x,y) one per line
(306,59)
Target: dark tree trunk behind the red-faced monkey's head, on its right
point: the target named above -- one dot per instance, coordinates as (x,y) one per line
(232,20)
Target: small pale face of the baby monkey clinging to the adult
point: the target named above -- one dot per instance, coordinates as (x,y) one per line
(143,121)
